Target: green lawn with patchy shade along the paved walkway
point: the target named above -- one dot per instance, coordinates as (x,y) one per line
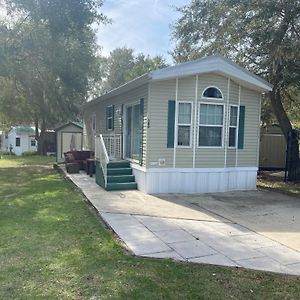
(53,246)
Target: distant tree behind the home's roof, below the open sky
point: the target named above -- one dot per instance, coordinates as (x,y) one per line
(123,65)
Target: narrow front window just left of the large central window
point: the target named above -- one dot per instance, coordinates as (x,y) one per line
(184,124)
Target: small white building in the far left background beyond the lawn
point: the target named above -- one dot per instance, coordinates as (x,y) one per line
(21,139)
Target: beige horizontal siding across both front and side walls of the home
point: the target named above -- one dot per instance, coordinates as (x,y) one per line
(156,95)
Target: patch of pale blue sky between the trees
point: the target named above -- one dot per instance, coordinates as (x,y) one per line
(143,25)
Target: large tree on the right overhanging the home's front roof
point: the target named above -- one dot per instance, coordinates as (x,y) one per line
(264,36)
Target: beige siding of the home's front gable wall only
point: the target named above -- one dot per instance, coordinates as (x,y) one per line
(162,91)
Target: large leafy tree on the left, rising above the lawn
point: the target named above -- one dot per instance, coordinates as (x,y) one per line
(46,55)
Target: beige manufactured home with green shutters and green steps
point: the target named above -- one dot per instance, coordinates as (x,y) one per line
(189,128)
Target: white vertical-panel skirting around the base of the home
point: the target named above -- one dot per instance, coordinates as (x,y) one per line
(199,180)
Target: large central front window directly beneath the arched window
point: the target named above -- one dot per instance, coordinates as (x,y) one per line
(211,125)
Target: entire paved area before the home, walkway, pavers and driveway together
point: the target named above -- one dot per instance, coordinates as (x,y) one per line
(256,230)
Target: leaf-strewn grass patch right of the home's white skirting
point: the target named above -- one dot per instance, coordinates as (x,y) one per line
(275,181)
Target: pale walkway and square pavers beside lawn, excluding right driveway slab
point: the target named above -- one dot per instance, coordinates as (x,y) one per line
(157,227)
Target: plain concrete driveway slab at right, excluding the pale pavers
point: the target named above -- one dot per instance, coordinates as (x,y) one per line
(271,214)
